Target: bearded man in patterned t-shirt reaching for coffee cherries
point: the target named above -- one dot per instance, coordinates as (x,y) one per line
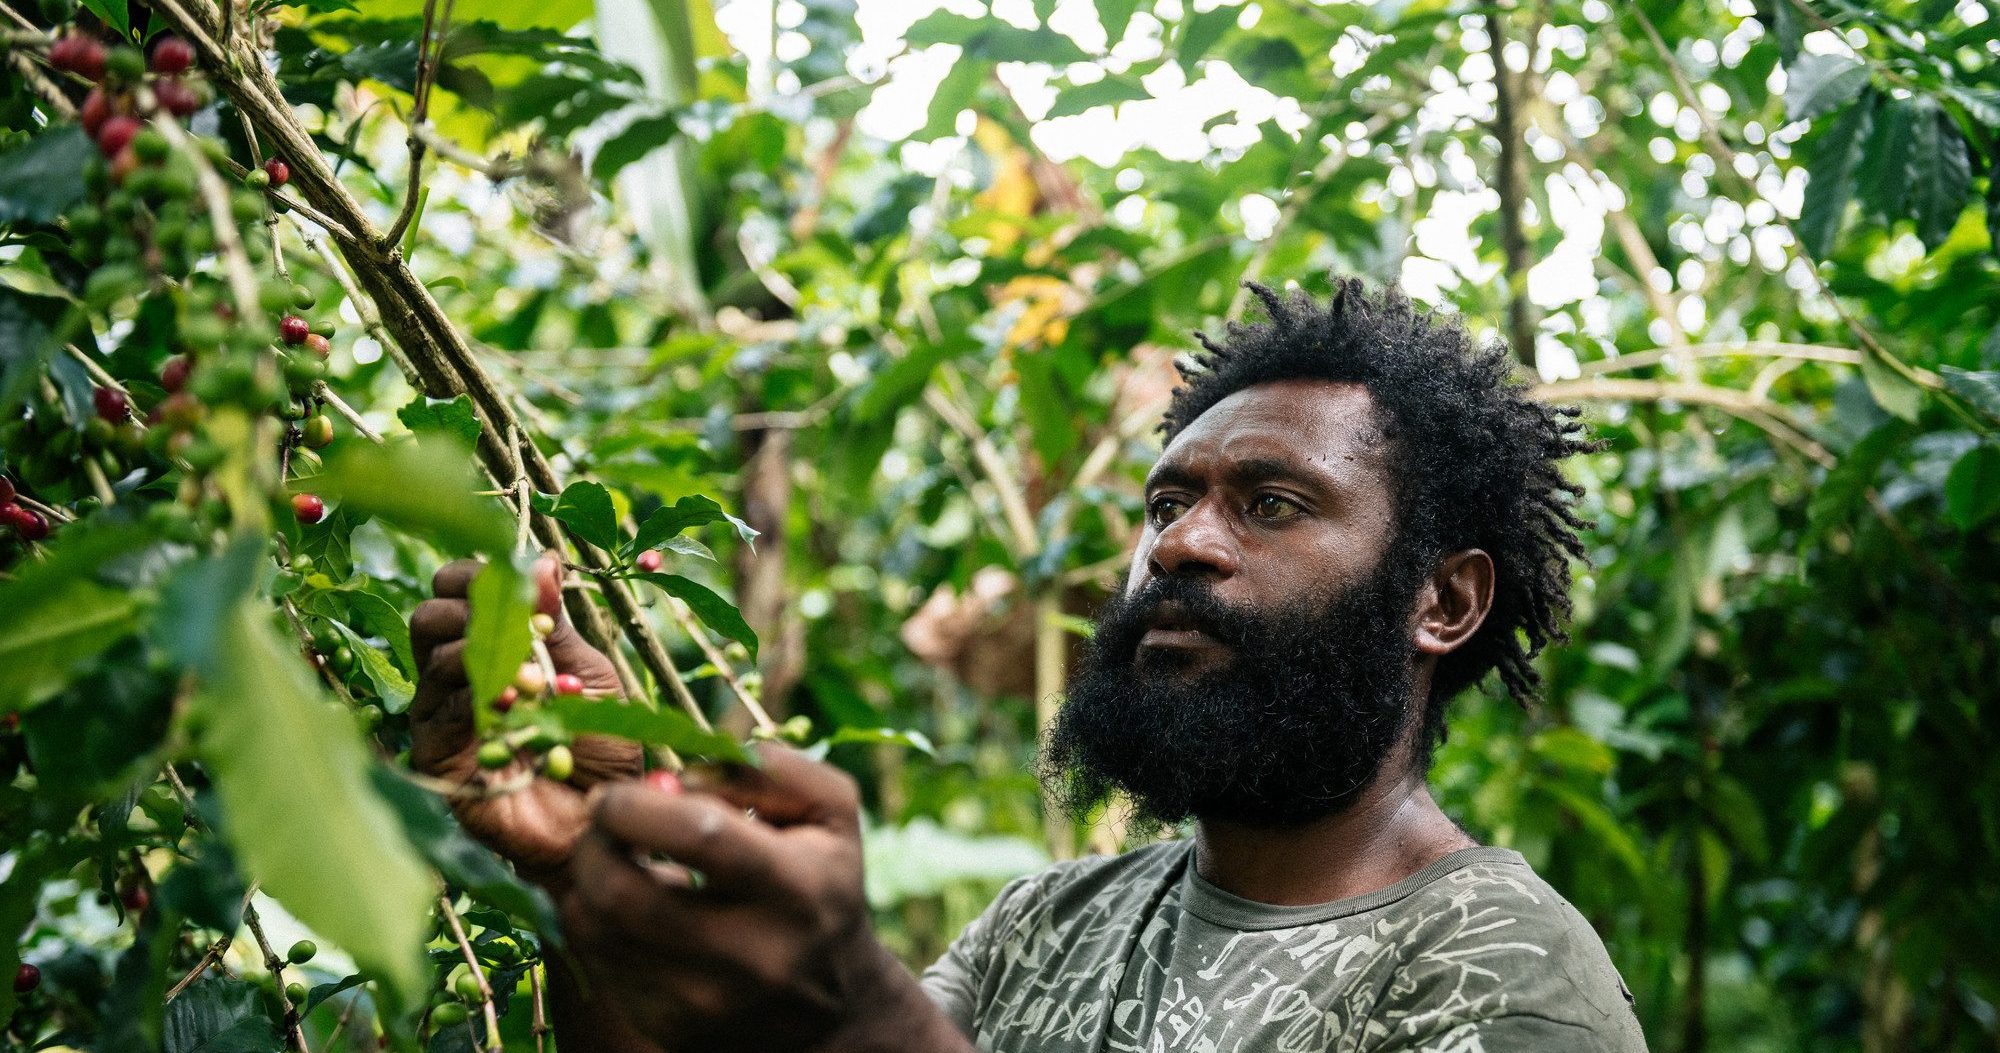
(1355,517)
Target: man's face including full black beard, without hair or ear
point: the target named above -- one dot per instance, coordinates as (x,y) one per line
(1257,666)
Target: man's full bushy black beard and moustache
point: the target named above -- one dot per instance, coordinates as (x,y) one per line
(1291,726)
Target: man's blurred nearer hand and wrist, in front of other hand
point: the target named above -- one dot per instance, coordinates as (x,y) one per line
(769,948)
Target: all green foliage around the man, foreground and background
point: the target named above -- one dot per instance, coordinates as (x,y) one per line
(881,409)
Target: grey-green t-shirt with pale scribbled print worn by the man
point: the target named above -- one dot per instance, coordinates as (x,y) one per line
(1473,954)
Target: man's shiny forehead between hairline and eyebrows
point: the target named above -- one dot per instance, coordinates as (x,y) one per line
(1305,421)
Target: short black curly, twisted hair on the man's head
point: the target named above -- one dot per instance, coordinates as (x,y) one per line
(1475,459)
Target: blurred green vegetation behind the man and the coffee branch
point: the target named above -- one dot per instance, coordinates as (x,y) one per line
(905,287)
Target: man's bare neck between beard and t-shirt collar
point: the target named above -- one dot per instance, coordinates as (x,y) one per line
(1389,834)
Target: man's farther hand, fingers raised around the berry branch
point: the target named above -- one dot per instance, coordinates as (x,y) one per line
(539,826)
